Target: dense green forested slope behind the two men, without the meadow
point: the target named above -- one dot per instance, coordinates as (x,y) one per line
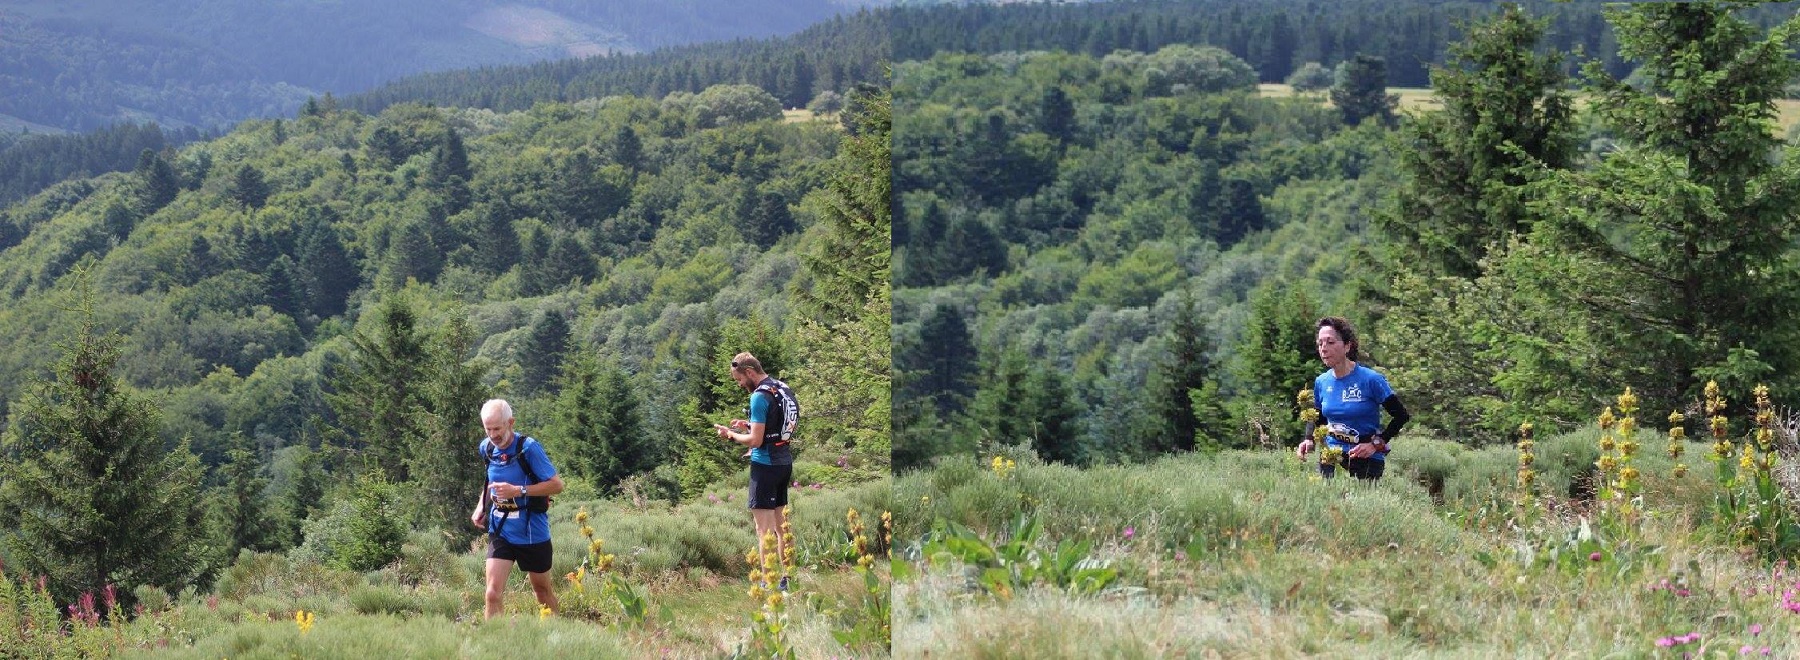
(316,308)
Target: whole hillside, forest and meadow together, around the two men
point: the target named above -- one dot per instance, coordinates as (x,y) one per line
(305,316)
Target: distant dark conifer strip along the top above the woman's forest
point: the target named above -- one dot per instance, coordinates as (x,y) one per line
(1273,37)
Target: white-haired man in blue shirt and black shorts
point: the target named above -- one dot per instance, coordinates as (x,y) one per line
(516,506)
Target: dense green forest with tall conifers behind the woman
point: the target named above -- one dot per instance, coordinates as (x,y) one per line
(1115,256)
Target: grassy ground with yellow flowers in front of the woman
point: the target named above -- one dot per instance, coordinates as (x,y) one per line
(1252,555)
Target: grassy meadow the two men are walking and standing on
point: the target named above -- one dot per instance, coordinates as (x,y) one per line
(674,585)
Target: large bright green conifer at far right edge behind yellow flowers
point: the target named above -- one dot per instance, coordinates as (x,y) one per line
(1637,242)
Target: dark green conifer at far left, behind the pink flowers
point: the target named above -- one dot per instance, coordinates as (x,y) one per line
(94,494)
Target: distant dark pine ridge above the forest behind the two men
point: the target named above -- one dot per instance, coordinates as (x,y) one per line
(811,69)
